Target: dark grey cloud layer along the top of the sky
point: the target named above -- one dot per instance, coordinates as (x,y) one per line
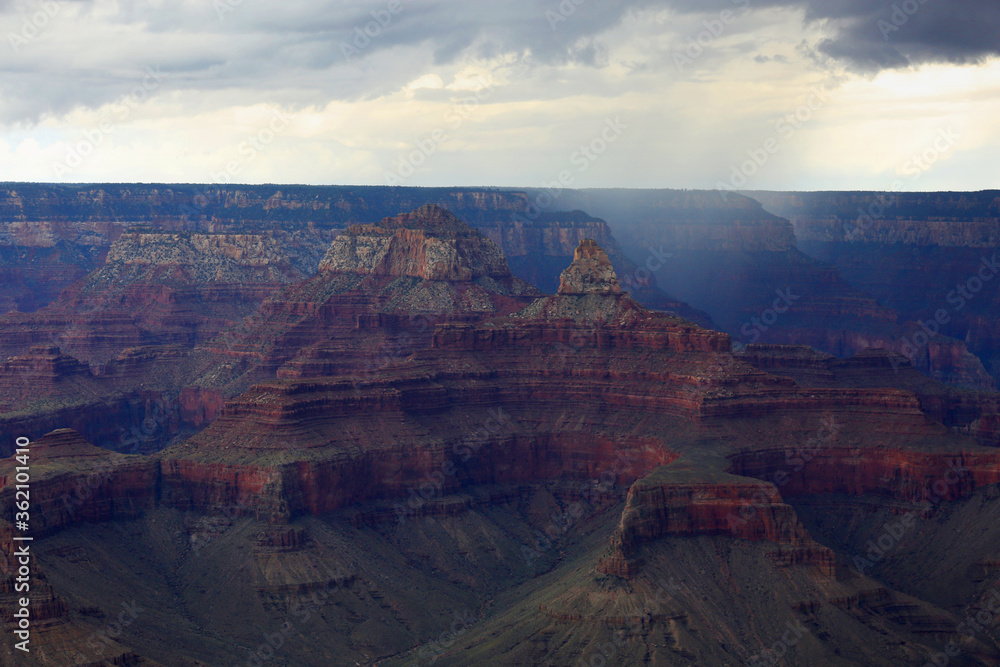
(311,52)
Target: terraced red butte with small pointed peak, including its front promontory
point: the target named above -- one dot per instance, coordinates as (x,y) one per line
(601,396)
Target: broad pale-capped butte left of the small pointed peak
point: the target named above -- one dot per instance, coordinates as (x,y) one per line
(380,290)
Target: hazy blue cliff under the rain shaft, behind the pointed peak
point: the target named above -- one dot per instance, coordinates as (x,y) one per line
(724,254)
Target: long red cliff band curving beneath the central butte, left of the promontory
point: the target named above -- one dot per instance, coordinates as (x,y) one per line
(282,491)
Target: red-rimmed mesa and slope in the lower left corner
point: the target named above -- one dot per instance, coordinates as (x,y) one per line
(70,481)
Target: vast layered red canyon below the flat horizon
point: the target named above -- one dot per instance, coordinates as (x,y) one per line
(372,437)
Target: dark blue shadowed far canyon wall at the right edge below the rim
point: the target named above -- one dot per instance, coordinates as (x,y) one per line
(922,254)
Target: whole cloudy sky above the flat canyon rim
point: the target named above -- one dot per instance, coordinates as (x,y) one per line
(756,94)
